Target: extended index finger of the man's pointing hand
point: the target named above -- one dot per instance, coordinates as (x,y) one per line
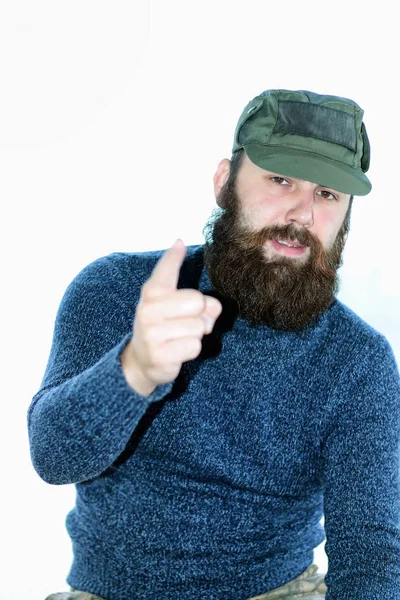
(165,275)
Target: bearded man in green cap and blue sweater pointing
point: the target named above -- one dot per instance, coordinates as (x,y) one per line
(207,441)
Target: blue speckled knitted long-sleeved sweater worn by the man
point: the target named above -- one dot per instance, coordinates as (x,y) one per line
(214,487)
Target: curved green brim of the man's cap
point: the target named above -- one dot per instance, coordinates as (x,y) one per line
(309,167)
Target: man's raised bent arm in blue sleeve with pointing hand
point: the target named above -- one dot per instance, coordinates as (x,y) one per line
(101,377)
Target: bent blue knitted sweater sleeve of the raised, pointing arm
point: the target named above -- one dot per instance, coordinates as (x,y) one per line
(85,412)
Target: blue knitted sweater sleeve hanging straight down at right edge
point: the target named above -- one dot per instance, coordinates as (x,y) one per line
(361,480)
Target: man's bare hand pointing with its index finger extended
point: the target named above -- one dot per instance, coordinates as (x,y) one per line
(168,327)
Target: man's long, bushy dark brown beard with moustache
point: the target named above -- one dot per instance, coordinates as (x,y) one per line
(284,293)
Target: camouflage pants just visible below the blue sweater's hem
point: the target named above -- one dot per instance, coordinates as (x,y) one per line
(307,586)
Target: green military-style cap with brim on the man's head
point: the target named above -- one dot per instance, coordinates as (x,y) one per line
(308,136)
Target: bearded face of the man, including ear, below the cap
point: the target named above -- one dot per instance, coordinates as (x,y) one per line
(275,248)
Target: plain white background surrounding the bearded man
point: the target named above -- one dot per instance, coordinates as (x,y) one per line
(113,117)
